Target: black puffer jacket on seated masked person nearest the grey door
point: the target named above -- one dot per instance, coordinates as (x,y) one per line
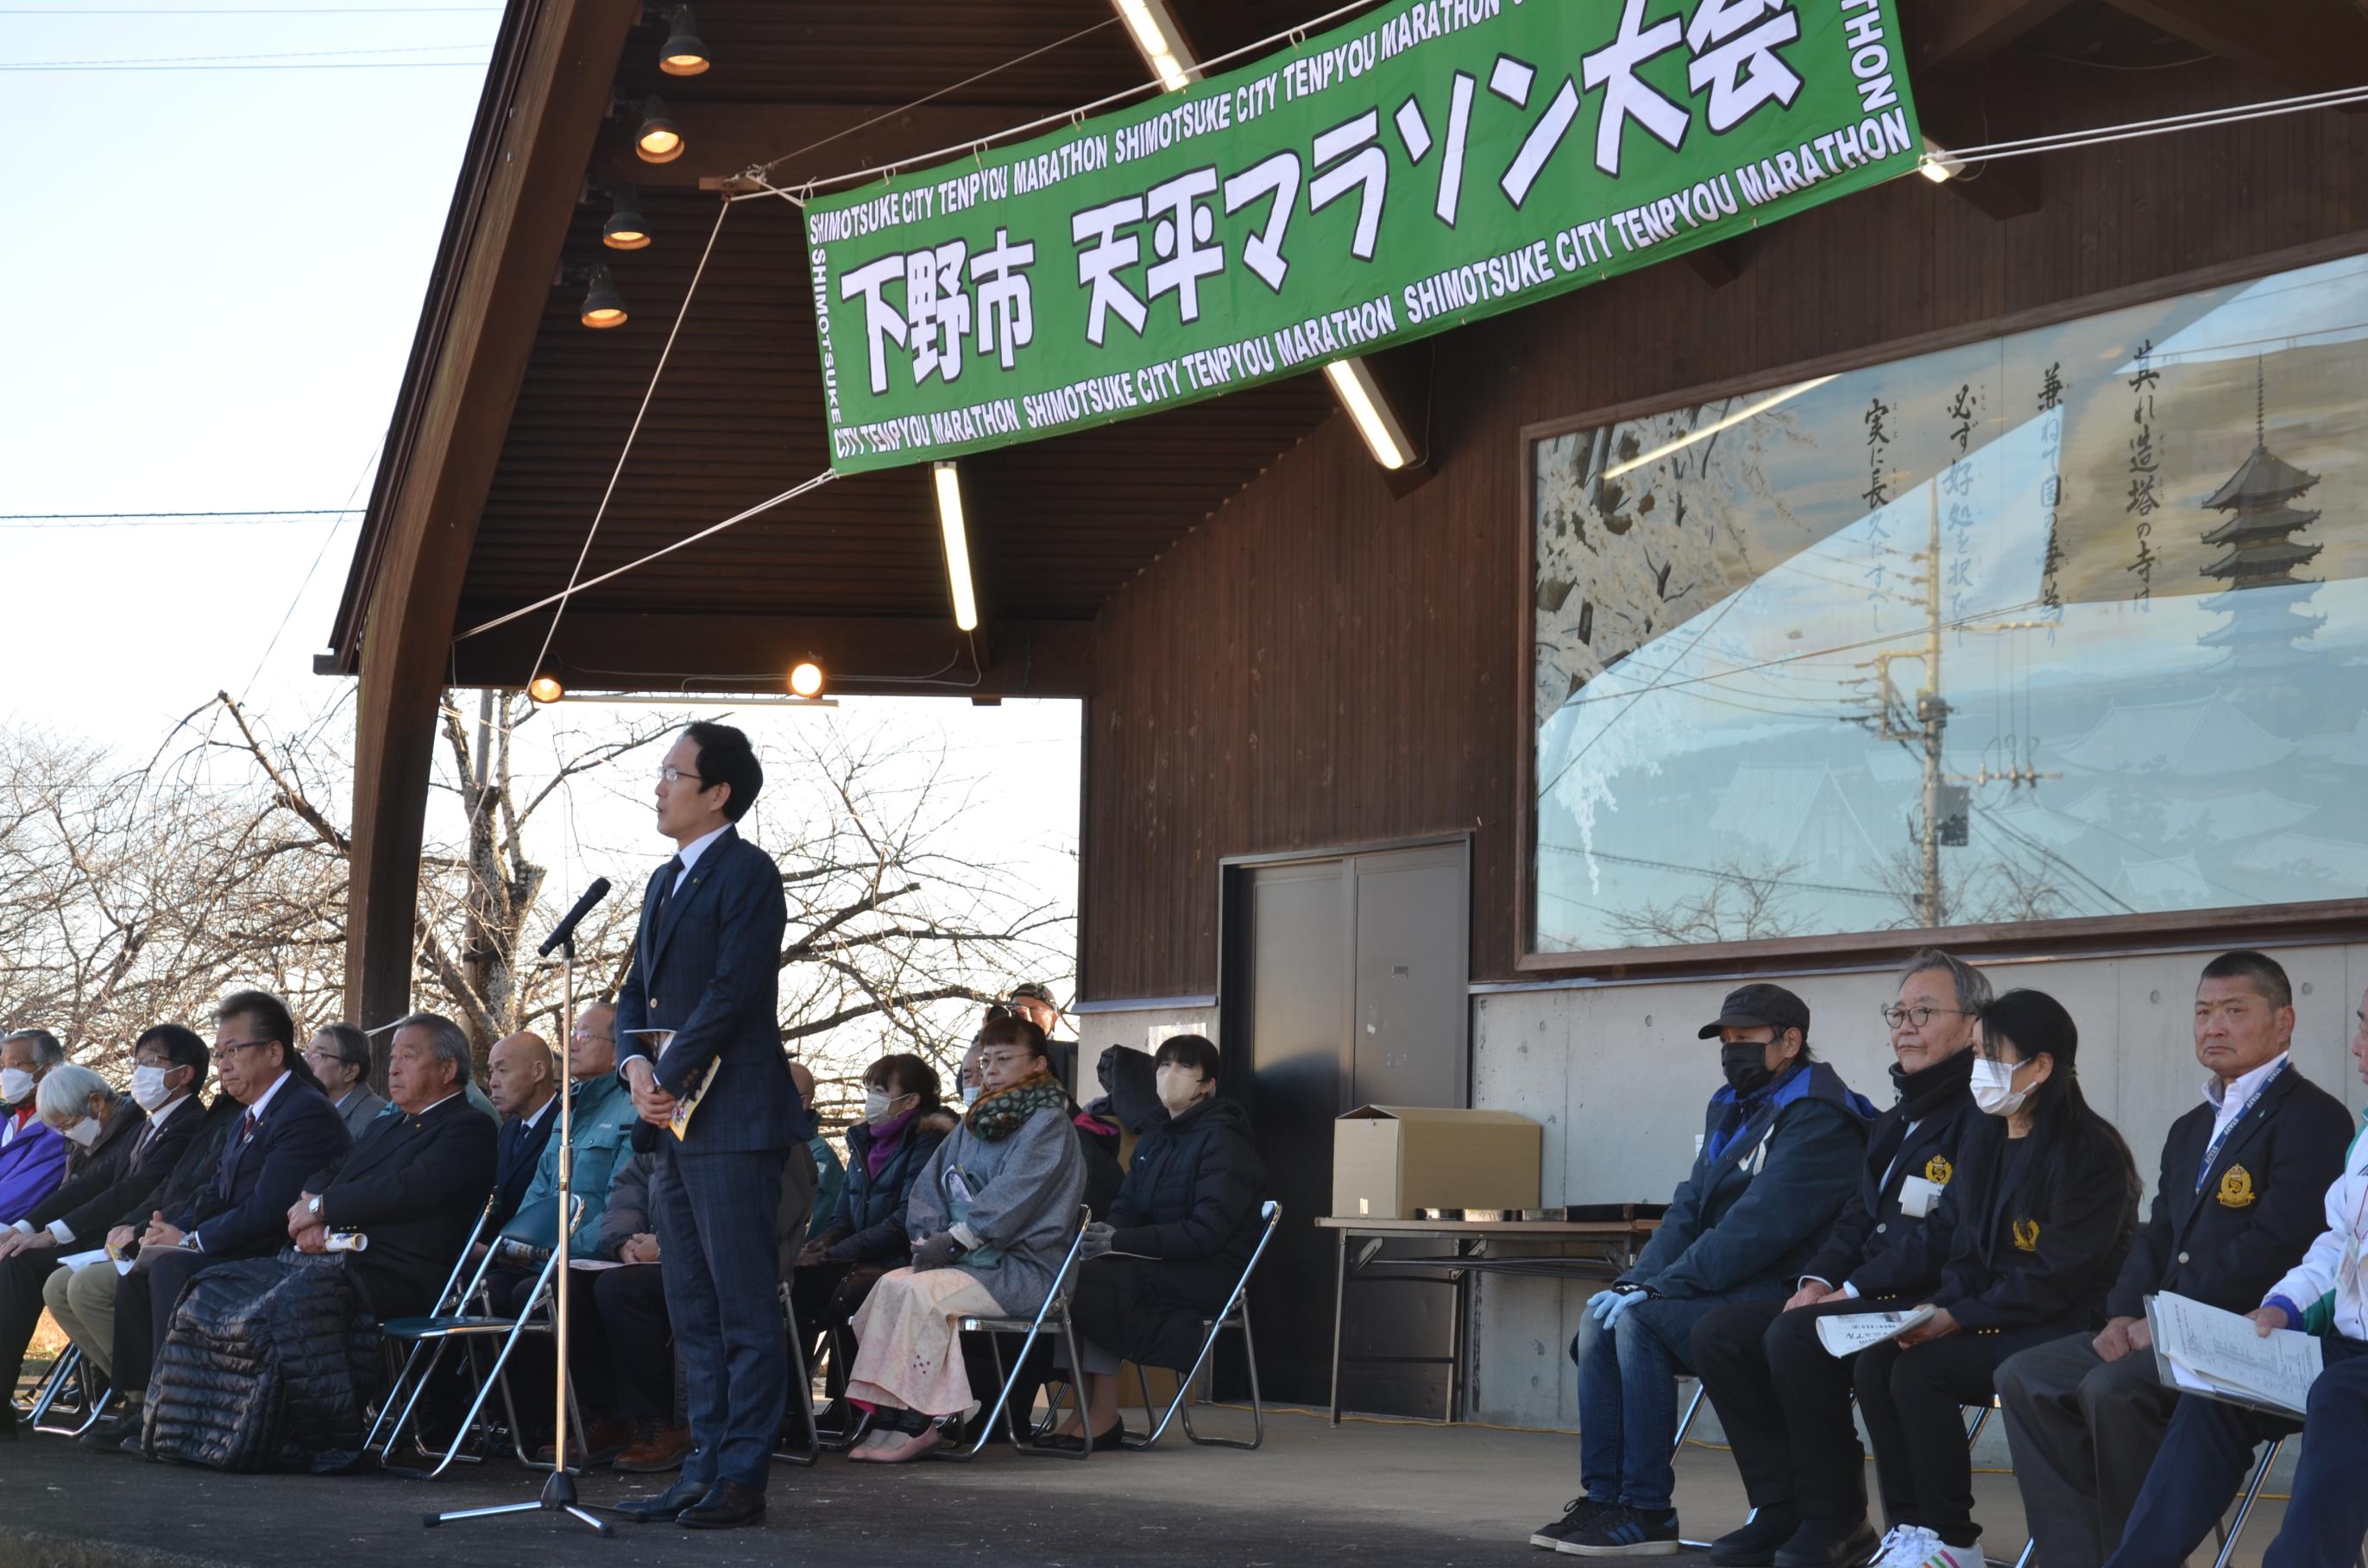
(1192,1200)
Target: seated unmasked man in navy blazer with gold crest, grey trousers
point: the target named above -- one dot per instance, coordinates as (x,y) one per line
(2239,1202)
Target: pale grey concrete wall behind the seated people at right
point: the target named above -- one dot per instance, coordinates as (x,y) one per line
(1619,1081)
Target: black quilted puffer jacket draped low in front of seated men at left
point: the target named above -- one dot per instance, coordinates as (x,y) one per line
(266,1368)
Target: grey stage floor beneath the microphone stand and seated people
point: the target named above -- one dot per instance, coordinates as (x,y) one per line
(1370,1491)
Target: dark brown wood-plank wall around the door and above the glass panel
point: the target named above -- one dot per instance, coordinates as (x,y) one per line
(1323,664)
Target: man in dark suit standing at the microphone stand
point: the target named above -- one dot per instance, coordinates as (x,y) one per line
(707,968)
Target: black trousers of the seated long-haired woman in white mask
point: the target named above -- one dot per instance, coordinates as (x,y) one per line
(1912,1406)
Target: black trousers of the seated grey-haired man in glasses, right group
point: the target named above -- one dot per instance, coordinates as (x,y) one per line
(1784,1403)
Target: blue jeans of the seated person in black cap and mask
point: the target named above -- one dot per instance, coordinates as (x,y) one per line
(1628,1401)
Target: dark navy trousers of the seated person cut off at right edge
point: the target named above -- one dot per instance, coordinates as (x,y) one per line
(2206,1458)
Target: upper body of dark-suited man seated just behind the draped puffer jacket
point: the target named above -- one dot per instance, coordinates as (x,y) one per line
(418,1178)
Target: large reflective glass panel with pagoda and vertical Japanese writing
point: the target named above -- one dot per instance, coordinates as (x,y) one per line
(2054,626)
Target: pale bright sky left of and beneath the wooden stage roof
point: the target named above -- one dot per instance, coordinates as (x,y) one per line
(221,250)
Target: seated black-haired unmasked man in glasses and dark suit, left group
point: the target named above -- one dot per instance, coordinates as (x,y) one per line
(285,1133)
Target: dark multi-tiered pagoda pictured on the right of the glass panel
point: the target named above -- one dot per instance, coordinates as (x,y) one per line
(2260,558)
